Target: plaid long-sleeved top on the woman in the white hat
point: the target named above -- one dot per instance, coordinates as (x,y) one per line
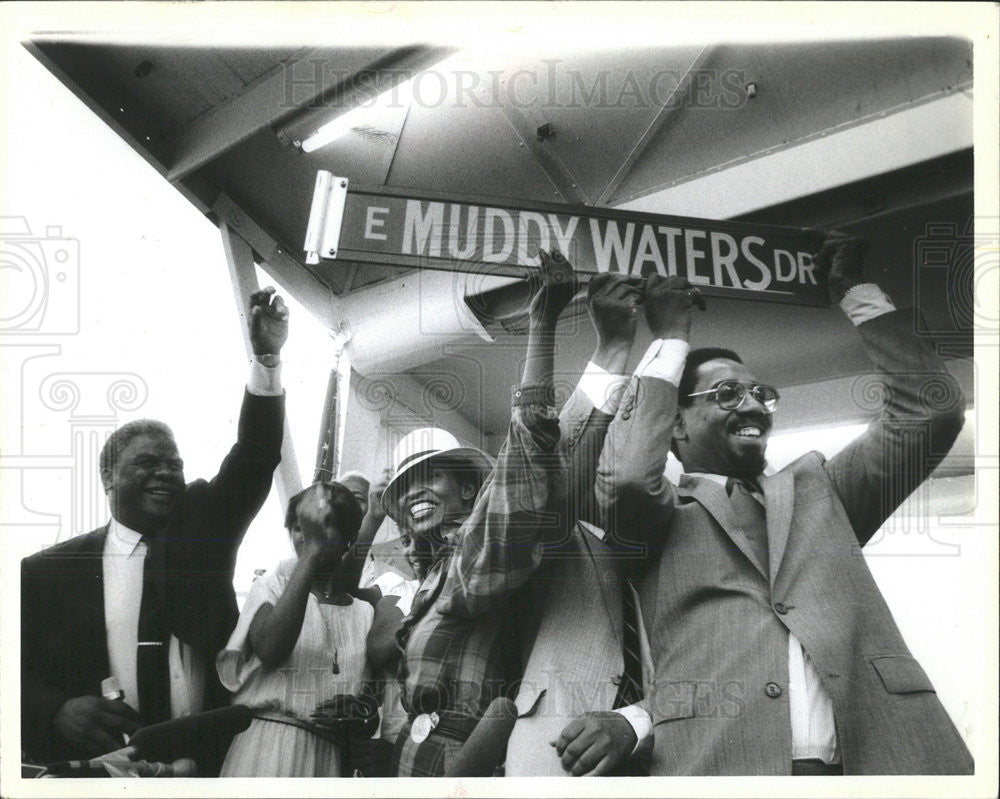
(460,644)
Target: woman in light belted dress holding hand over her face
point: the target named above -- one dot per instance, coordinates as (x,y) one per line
(299,643)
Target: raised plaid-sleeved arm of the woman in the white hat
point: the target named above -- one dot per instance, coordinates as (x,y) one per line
(499,545)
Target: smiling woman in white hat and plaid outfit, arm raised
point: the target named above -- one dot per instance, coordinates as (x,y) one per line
(473,548)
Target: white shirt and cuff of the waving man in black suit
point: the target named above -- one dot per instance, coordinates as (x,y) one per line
(123,562)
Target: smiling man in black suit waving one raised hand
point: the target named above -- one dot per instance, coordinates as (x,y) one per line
(148,598)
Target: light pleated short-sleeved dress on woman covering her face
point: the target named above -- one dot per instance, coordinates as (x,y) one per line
(273,746)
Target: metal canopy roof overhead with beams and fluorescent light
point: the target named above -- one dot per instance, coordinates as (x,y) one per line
(601,127)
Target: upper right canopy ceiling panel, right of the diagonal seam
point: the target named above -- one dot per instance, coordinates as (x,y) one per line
(802,91)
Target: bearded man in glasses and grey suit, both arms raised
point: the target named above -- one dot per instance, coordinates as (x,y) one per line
(773,649)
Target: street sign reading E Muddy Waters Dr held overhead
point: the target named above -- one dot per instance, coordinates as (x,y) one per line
(734,259)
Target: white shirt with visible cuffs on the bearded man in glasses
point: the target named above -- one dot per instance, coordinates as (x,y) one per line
(813,730)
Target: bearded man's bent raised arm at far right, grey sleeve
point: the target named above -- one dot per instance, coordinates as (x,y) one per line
(922,404)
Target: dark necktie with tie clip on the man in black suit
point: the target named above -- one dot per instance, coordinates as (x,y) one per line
(151,665)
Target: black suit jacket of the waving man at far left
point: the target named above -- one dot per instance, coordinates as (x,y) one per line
(64,650)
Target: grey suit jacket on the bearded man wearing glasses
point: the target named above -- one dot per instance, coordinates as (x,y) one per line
(718,623)
